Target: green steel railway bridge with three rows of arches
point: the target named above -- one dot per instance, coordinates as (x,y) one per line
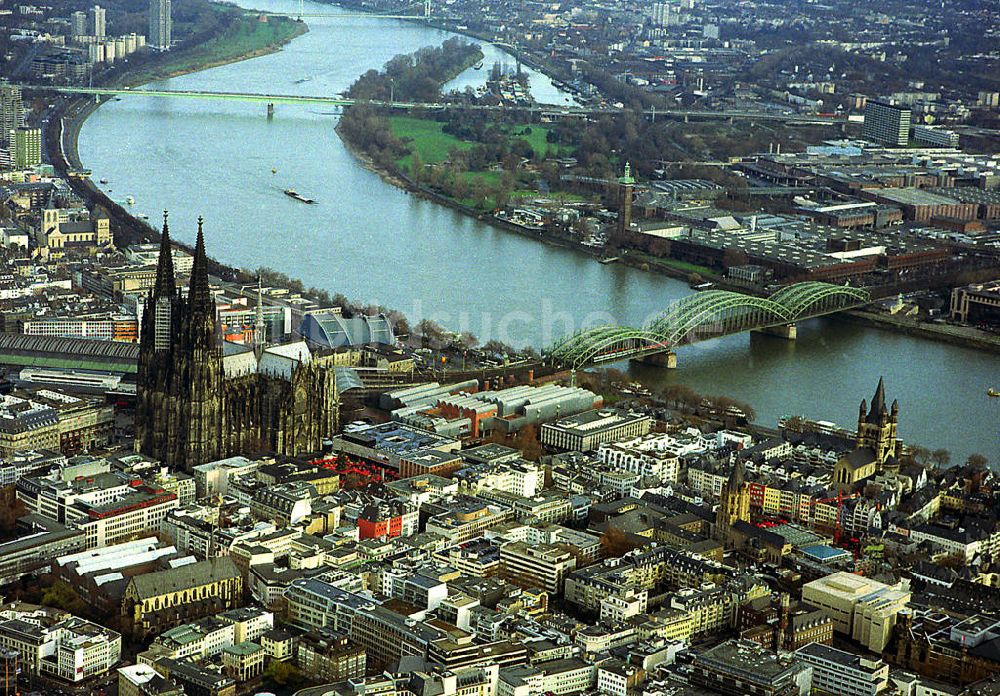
(703,316)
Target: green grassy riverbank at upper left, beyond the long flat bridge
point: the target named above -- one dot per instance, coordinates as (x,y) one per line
(247,37)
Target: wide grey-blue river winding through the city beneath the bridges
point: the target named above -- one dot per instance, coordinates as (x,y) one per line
(374,243)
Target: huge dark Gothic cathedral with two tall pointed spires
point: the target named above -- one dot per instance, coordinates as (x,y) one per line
(200,399)
